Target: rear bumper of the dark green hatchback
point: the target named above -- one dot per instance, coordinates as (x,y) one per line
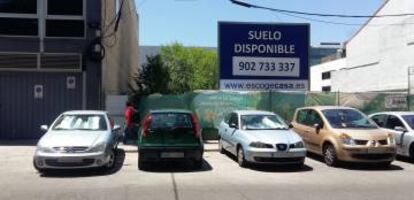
(170,153)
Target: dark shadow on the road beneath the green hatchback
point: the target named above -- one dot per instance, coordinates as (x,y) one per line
(175,166)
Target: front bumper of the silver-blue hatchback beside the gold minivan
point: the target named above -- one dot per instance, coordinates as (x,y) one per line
(272,156)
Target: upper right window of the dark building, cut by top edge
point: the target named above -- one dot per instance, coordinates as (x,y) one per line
(65,7)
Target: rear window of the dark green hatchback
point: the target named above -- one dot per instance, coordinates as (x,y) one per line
(170,120)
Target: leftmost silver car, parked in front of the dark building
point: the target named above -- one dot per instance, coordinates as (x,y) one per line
(78,139)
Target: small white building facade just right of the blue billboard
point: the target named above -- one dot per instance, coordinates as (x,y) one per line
(316,73)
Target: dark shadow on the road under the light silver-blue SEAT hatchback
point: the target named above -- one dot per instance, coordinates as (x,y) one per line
(273,167)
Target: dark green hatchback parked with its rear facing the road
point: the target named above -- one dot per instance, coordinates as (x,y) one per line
(170,135)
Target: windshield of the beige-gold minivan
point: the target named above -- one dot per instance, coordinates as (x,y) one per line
(347,118)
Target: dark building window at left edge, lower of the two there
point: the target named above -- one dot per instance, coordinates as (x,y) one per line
(19,26)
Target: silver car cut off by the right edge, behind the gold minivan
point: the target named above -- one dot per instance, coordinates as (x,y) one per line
(401,124)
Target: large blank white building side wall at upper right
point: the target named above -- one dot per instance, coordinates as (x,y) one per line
(379,55)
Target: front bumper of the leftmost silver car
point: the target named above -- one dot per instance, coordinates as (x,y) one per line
(70,161)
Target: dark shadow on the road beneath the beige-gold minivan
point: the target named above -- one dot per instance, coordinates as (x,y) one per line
(358,166)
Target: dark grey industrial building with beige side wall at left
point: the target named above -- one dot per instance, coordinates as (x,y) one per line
(58,55)
